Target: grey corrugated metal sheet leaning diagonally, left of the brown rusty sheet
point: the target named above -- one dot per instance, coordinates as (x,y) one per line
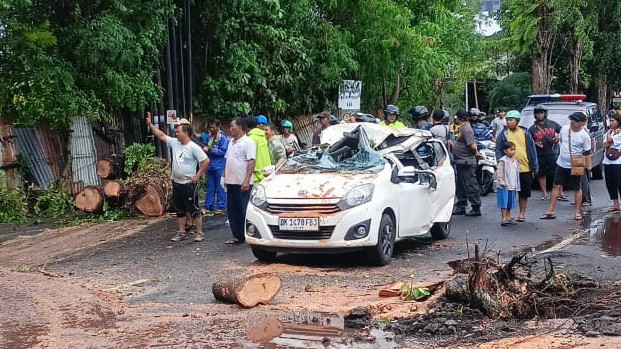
(30,150)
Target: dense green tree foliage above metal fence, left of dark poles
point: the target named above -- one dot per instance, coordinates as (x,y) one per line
(59,59)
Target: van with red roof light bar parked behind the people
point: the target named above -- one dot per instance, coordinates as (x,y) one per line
(559,106)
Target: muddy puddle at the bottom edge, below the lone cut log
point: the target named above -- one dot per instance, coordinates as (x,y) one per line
(315,330)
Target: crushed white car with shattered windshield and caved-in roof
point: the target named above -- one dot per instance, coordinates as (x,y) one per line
(365,188)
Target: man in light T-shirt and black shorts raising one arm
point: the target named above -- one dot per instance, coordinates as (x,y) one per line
(187,156)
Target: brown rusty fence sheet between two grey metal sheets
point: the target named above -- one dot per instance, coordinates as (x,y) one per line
(54,146)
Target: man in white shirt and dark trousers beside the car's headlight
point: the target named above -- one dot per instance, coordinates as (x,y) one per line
(240,158)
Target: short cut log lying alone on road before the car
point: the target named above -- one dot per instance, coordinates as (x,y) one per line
(247,291)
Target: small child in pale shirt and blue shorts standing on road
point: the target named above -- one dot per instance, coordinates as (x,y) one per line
(508,174)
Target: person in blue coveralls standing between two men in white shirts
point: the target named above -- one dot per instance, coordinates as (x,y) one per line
(215,147)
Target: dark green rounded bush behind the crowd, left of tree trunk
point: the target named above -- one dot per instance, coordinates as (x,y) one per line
(511,92)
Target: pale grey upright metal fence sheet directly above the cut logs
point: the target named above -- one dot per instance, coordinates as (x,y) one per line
(83,153)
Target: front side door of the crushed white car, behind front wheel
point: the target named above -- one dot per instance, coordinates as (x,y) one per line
(413,198)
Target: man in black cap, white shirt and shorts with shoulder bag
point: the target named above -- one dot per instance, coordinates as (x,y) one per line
(573,140)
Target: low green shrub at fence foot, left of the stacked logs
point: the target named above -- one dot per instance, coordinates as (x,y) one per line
(54,202)
